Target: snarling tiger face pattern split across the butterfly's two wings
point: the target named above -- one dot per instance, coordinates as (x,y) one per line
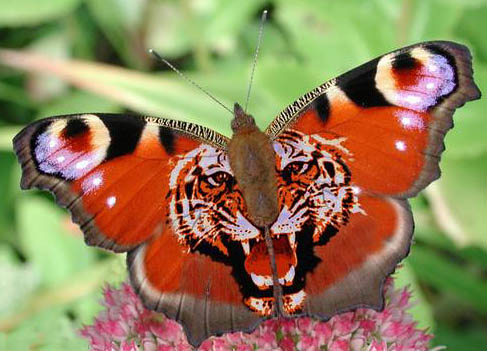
(207,214)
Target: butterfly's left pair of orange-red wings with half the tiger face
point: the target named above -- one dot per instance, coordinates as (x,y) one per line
(134,184)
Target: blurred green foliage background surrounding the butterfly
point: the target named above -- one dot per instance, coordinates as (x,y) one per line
(50,281)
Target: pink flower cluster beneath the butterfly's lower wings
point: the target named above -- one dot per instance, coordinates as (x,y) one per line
(126,325)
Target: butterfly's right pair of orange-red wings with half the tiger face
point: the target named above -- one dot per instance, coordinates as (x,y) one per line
(350,153)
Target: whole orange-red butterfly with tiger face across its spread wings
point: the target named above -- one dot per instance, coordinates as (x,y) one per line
(306,218)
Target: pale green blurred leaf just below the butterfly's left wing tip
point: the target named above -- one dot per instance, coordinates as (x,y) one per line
(54,252)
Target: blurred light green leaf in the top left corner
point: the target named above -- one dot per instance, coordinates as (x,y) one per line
(32,12)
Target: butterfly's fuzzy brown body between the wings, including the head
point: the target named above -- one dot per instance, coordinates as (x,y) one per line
(252,160)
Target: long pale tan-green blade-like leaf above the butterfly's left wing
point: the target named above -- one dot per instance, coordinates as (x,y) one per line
(165,95)
